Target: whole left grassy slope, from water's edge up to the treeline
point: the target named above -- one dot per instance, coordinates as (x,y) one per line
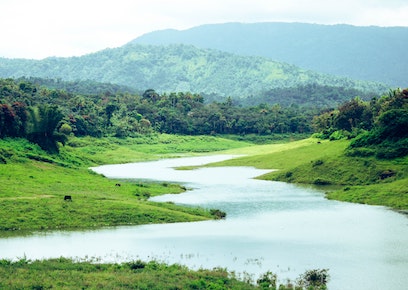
(33,184)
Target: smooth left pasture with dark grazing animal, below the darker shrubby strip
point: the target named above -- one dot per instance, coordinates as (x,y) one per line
(33,194)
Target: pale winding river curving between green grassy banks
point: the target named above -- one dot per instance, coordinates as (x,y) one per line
(274,226)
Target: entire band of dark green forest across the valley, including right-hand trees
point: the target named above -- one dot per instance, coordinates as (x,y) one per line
(48,116)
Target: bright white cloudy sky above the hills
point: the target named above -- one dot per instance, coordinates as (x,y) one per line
(43,28)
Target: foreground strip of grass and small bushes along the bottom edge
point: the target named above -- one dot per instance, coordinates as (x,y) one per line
(66,274)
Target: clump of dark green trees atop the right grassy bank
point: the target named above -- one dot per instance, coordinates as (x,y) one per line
(378,127)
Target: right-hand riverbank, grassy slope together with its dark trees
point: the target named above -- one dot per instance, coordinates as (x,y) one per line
(366,155)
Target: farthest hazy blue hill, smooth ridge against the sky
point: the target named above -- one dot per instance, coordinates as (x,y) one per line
(366,53)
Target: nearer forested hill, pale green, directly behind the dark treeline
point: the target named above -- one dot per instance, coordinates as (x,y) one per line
(184,68)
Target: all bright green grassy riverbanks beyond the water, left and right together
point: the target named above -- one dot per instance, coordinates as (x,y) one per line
(35,183)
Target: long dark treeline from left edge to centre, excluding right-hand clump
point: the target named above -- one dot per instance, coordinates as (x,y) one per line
(127,114)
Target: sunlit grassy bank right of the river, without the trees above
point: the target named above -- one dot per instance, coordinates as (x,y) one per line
(360,179)
